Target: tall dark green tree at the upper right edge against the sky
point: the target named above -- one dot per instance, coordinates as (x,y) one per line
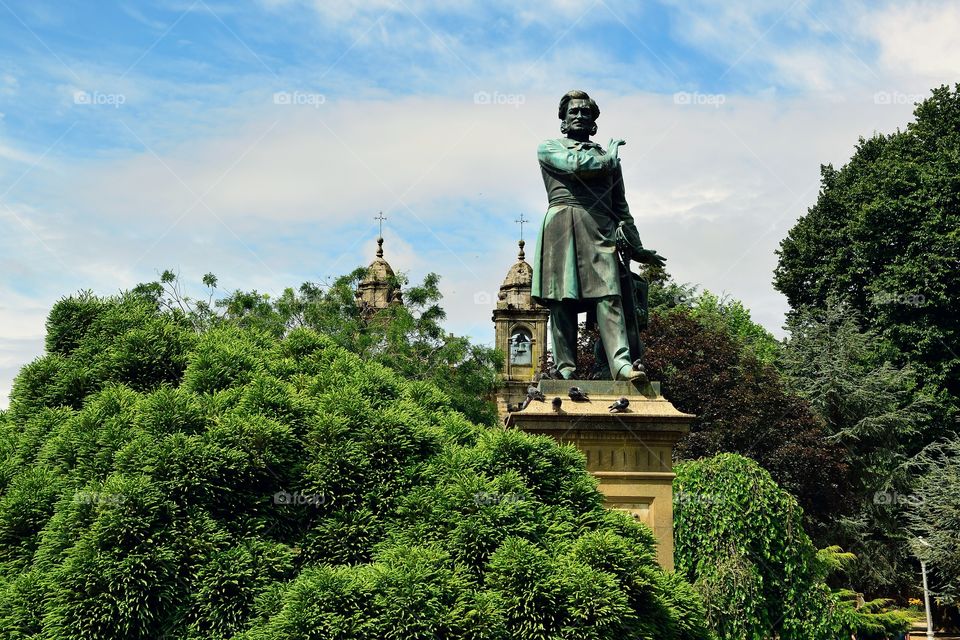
(884,237)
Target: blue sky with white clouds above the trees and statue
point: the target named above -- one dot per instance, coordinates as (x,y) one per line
(258,140)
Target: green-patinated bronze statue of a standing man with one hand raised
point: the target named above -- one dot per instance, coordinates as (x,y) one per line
(576,267)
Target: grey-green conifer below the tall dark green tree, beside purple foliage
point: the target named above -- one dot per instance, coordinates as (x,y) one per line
(871,408)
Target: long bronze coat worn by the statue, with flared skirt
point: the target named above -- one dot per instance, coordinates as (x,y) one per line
(576,255)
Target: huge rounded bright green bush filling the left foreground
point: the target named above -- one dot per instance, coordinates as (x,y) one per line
(160,481)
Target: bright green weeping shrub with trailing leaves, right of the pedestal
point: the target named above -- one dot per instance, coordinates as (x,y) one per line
(740,540)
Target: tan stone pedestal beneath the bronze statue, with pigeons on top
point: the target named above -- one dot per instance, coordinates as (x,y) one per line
(630,453)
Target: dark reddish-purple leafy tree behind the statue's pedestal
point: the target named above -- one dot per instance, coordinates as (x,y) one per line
(742,406)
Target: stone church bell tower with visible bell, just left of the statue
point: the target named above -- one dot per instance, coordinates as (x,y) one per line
(521,330)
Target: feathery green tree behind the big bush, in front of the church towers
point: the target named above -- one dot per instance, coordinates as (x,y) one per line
(408,338)
